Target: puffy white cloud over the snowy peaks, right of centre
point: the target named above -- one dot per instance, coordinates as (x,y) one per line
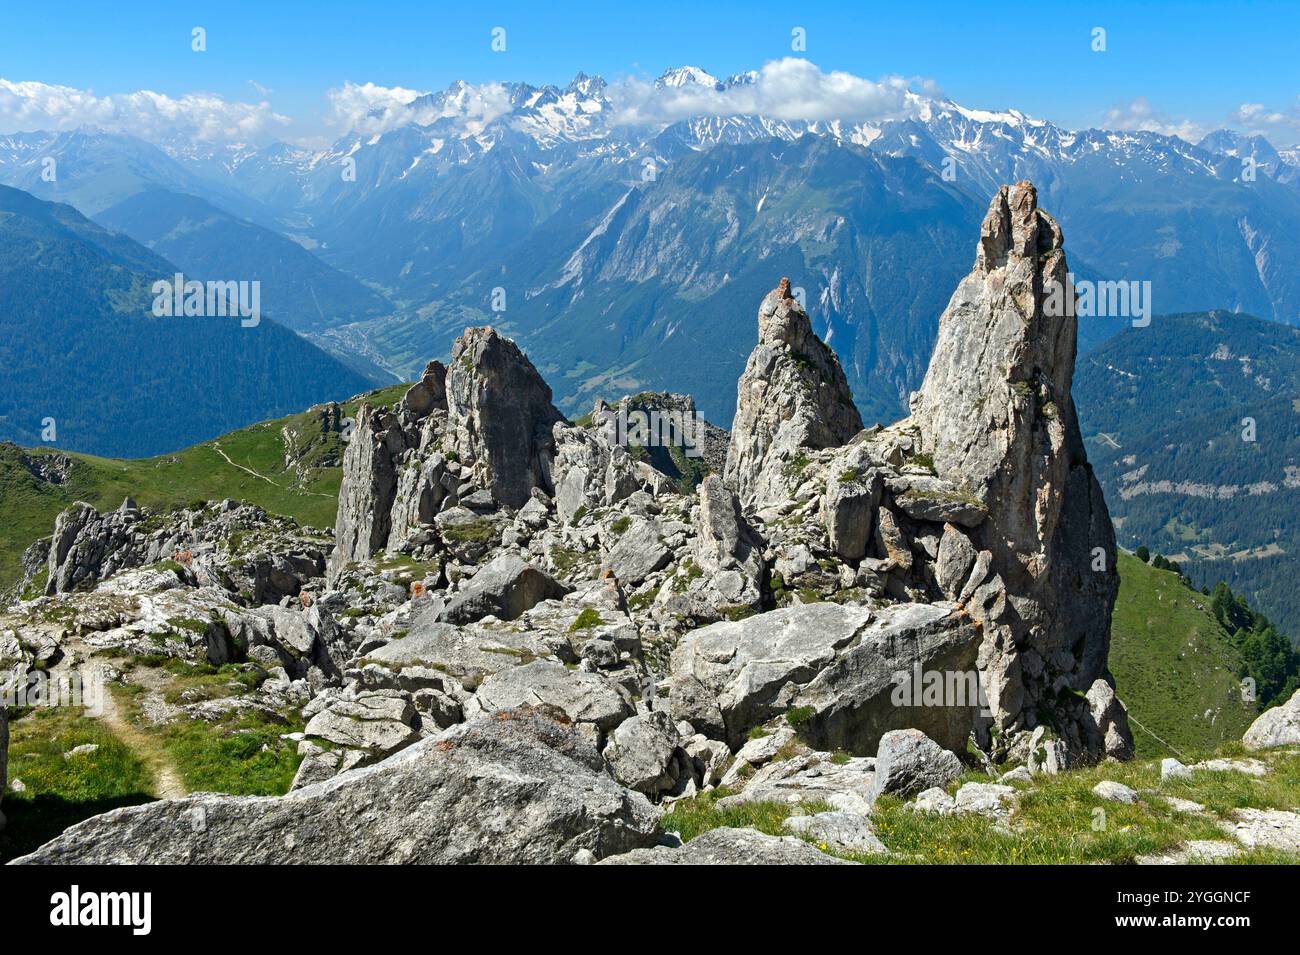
(791,89)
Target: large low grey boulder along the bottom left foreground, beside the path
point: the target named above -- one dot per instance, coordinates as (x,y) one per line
(522,788)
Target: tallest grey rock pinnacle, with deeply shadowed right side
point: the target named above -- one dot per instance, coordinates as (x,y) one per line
(996,415)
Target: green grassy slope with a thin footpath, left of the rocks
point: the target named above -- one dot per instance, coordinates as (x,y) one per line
(197,474)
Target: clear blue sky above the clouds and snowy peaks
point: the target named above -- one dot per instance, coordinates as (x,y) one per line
(1198,62)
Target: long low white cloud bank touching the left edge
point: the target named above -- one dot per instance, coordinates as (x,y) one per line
(32,106)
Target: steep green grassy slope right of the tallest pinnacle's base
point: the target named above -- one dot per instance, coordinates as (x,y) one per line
(1175,667)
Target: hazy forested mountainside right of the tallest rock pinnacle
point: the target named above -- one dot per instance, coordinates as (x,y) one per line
(1194,427)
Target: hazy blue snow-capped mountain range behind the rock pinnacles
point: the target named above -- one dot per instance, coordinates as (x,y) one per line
(630,237)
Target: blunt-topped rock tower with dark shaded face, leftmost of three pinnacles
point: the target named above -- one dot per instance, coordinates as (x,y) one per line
(501,416)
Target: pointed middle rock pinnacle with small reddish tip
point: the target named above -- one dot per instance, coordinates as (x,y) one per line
(792,398)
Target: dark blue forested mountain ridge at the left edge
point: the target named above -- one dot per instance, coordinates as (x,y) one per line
(85,355)
